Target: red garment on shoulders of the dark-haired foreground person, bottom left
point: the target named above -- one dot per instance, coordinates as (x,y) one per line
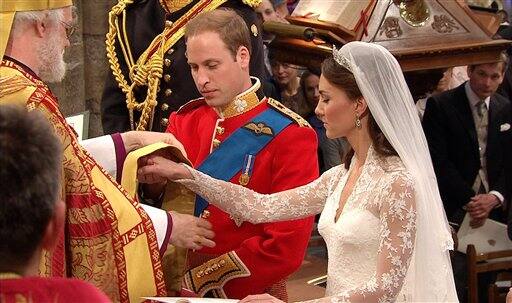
(16,289)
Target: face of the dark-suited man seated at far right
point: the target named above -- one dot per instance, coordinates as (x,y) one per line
(484,79)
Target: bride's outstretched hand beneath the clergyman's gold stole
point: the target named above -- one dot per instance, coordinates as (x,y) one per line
(157,169)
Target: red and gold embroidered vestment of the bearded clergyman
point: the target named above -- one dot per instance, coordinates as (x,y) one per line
(109,239)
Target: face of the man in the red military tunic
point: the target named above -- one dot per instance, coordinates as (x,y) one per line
(218,75)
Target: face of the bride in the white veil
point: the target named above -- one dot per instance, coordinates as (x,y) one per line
(336,110)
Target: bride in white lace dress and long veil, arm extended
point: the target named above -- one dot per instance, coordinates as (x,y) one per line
(381,215)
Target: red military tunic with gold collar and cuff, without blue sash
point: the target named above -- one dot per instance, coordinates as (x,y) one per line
(248,259)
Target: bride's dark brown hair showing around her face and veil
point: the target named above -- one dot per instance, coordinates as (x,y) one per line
(345,80)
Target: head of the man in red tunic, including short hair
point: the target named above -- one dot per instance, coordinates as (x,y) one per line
(218,52)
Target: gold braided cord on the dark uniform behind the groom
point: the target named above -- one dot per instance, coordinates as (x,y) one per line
(149,67)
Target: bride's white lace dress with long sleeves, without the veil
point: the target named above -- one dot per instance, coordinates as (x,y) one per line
(369,246)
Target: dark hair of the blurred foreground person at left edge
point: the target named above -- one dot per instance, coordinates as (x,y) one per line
(30,176)
